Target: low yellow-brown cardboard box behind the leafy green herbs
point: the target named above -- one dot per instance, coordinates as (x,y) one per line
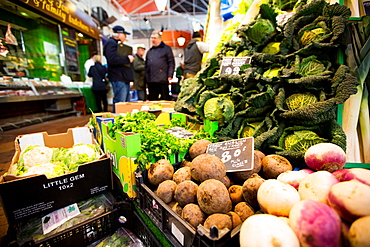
(123,107)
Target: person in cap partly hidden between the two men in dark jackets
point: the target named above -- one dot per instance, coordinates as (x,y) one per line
(139,73)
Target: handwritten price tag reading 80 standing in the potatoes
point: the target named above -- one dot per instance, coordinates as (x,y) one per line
(237,154)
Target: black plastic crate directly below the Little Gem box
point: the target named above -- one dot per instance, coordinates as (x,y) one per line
(105,219)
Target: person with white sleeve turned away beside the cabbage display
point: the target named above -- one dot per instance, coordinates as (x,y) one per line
(193,55)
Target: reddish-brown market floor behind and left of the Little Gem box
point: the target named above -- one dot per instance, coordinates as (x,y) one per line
(7,150)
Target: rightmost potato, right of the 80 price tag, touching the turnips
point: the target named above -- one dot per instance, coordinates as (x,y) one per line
(273,165)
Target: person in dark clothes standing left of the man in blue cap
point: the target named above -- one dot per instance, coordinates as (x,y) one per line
(98,73)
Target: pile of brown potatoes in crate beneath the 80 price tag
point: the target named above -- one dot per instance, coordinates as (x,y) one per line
(202,192)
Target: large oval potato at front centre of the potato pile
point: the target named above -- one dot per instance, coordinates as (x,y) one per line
(213,197)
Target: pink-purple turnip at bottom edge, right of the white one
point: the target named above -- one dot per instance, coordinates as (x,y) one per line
(315,224)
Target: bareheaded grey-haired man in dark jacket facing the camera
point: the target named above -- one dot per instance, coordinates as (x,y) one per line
(159,68)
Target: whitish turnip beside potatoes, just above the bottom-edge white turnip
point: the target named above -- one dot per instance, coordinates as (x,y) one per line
(277,198)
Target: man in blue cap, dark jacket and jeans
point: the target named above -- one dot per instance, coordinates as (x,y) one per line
(119,58)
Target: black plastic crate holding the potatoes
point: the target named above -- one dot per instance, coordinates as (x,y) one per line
(178,231)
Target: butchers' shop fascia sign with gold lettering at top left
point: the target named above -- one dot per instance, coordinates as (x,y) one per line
(67,13)
